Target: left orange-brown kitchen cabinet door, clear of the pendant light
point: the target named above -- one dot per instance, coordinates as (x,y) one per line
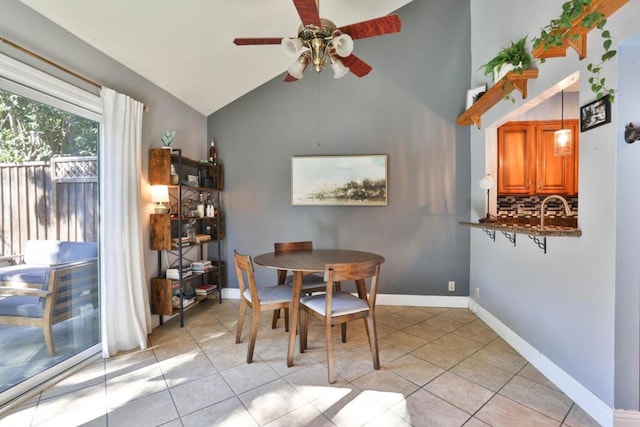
(516,159)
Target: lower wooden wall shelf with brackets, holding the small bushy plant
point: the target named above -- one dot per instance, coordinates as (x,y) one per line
(513,80)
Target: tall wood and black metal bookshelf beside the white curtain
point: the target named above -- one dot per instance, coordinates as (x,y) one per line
(193,183)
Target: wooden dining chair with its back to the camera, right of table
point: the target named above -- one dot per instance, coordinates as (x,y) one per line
(335,307)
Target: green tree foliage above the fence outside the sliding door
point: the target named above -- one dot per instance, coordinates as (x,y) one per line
(32,131)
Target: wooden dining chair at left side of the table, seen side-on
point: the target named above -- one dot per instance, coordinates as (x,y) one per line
(263,298)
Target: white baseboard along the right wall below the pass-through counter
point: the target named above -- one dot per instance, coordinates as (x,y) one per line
(596,408)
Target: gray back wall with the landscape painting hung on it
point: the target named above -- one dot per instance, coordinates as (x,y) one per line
(406,108)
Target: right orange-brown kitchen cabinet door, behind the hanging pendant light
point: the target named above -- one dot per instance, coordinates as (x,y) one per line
(555,174)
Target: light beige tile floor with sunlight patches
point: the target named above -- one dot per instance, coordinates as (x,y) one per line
(440,367)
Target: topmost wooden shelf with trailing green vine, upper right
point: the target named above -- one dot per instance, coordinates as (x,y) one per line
(568,30)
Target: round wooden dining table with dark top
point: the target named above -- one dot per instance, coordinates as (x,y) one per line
(310,261)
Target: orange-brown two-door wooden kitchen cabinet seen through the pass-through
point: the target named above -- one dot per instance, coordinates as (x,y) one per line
(526,163)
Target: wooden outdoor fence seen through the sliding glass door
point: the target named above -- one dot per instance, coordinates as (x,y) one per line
(56,200)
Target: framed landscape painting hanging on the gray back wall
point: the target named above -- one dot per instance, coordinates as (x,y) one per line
(358,180)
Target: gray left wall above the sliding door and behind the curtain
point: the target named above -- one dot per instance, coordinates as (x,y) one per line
(22,25)
